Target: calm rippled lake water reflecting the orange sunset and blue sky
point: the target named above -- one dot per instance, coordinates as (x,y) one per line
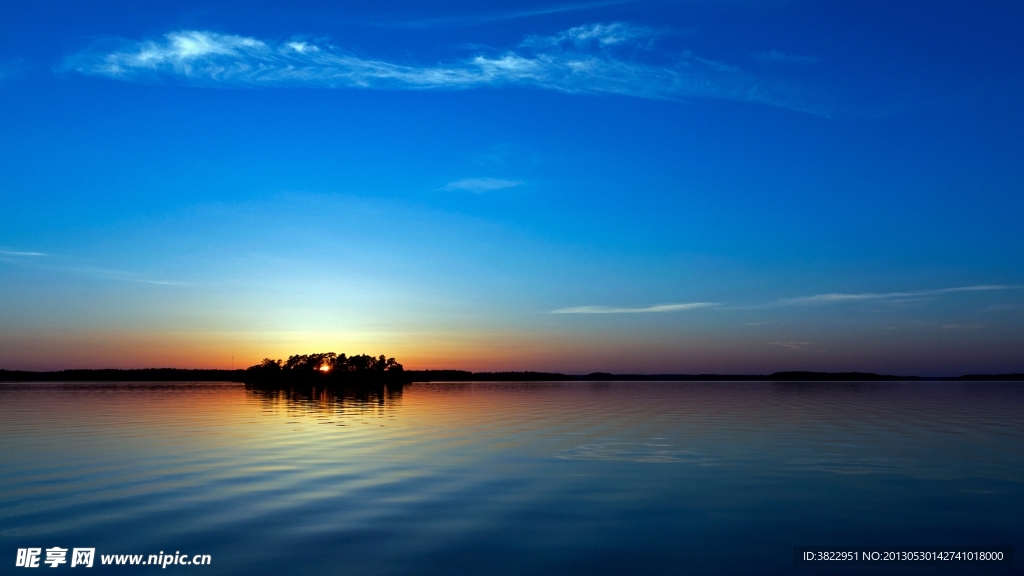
(581,478)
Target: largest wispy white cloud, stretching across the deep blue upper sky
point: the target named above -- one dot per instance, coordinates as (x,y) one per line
(614,59)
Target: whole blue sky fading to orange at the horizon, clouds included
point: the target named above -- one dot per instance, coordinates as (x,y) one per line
(652,187)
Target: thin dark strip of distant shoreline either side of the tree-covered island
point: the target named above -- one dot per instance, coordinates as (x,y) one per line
(200,376)
